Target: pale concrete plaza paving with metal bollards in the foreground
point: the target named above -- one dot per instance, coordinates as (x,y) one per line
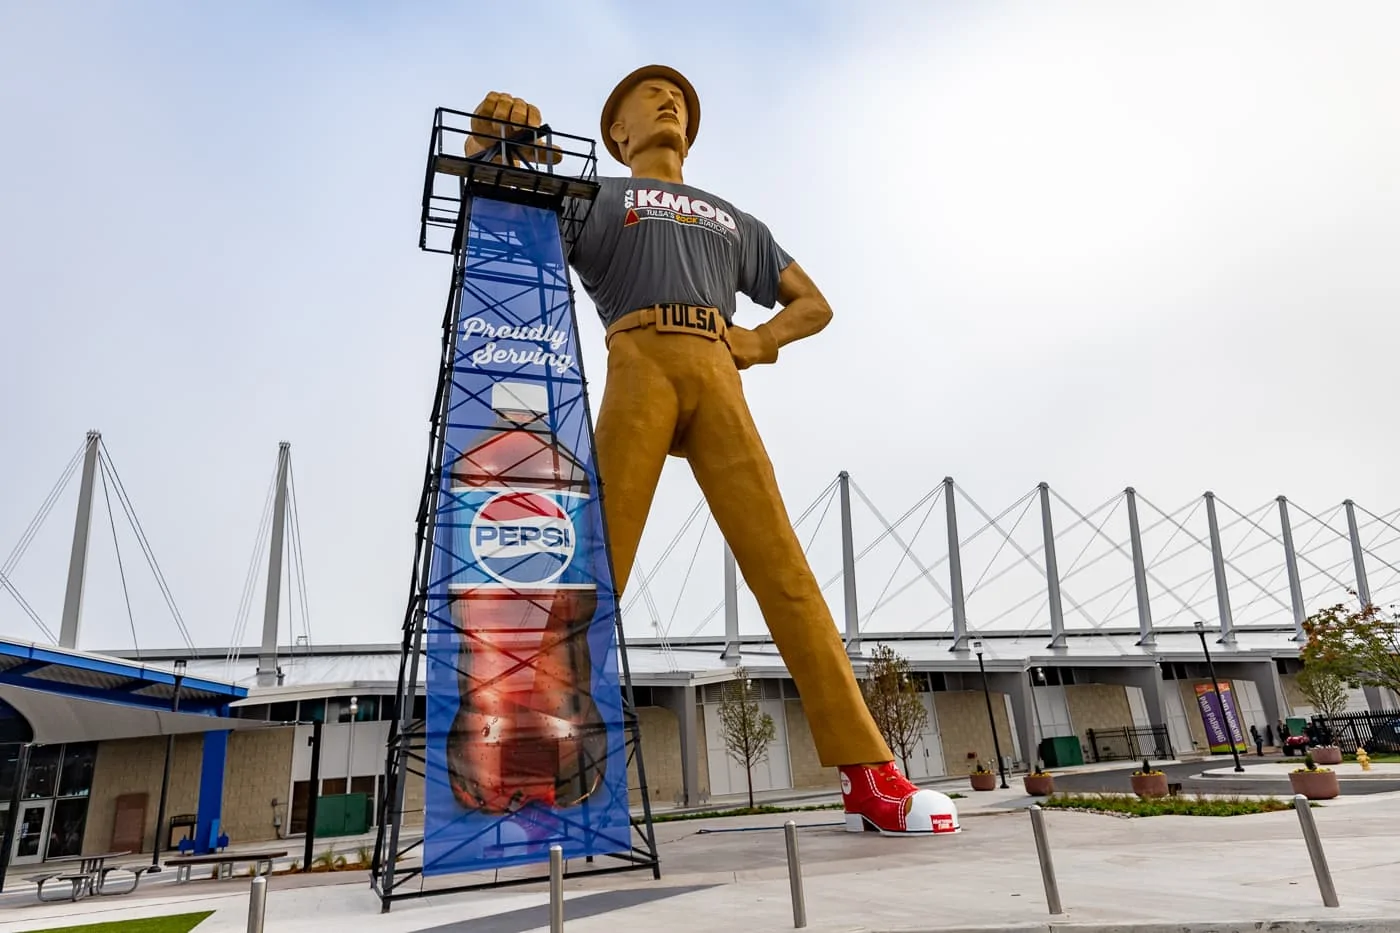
(730,875)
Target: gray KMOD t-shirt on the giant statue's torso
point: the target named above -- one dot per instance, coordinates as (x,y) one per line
(657,243)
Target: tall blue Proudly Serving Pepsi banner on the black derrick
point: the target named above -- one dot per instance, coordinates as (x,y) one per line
(526,736)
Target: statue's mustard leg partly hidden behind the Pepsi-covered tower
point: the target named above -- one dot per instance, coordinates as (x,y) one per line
(636,429)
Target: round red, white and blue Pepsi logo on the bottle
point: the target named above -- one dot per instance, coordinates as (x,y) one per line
(523,539)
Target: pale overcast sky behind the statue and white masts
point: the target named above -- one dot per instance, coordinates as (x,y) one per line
(1094,244)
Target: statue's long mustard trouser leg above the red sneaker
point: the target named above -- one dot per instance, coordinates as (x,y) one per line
(737,477)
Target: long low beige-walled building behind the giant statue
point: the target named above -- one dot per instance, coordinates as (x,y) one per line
(1108,697)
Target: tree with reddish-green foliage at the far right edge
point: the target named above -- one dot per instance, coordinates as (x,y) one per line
(1359,647)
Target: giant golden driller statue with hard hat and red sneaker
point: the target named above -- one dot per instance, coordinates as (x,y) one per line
(663,263)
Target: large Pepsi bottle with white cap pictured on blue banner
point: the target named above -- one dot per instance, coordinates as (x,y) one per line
(527,731)
